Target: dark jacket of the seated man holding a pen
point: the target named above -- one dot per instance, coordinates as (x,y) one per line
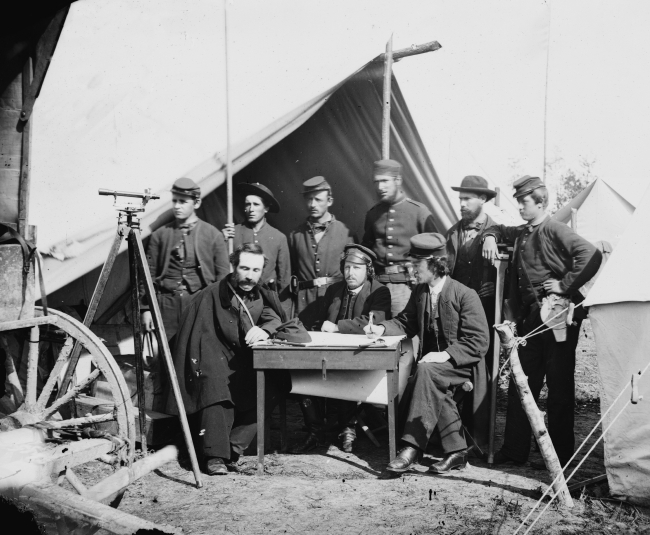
(466,331)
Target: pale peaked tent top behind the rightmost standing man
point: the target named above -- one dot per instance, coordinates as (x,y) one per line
(603,213)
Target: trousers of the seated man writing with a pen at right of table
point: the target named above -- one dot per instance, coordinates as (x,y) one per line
(428,403)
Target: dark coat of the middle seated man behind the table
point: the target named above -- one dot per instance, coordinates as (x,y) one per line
(374,297)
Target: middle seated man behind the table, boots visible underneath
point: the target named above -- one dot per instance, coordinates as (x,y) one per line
(345,308)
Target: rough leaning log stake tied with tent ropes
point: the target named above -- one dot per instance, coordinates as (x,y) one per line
(535,417)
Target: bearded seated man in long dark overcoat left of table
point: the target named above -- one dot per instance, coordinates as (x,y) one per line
(213,358)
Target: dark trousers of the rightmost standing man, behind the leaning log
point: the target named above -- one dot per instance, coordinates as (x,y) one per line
(543,356)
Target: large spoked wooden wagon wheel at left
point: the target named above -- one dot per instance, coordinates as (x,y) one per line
(44,411)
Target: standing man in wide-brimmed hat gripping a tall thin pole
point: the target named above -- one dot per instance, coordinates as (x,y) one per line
(258,202)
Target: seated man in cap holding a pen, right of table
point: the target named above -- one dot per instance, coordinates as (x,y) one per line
(454,336)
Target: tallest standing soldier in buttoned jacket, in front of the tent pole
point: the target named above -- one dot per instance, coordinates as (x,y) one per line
(388,228)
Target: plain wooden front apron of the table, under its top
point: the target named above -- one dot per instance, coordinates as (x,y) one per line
(313,360)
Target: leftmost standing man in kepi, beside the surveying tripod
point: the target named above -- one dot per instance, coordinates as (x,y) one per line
(184,257)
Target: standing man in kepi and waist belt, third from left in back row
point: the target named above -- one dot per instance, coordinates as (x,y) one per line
(316,246)
